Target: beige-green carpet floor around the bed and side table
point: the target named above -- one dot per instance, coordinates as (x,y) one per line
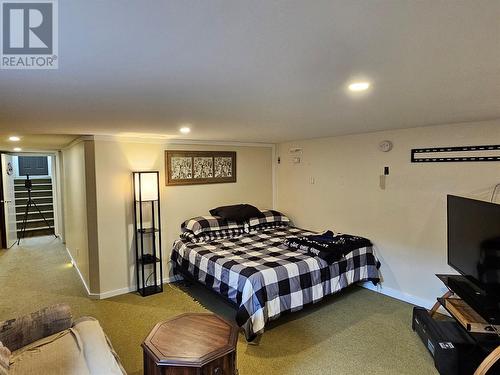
(355,332)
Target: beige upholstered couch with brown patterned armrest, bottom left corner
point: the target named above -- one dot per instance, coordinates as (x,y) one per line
(49,342)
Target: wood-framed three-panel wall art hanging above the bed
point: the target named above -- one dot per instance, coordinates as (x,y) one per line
(199,167)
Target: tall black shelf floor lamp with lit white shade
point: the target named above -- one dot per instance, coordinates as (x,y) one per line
(147,232)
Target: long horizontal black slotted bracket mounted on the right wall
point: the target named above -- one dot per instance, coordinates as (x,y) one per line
(455,154)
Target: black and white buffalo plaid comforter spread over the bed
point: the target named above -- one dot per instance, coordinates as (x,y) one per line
(265,279)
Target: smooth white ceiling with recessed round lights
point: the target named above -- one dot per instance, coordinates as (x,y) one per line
(260,70)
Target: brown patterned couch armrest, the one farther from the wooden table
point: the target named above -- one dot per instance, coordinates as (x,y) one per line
(19,332)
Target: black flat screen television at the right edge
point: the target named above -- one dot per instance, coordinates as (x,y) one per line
(474,241)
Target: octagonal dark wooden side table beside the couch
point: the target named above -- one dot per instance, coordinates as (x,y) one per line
(191,344)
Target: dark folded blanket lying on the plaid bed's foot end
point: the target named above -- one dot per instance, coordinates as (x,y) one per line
(327,246)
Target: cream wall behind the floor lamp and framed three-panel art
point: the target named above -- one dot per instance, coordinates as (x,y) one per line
(115,161)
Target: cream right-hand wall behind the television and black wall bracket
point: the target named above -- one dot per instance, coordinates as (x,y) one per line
(407,220)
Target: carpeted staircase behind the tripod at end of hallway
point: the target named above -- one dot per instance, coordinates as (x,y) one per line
(42,196)
